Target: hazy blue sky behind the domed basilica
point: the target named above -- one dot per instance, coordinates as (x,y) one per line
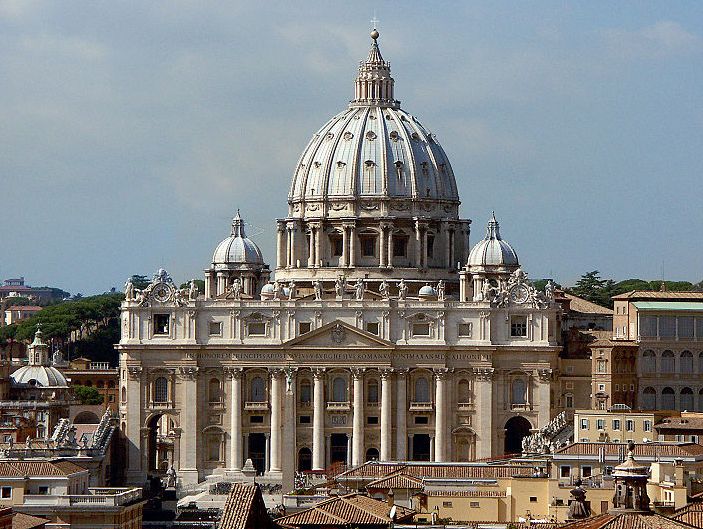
(130,132)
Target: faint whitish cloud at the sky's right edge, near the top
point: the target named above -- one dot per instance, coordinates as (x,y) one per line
(663,39)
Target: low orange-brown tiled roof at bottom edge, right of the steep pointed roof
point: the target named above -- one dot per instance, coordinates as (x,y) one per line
(352,509)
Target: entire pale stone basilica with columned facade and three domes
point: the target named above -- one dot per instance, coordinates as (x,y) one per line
(383,334)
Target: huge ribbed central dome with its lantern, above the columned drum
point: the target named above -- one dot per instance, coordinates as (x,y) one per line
(373,151)
